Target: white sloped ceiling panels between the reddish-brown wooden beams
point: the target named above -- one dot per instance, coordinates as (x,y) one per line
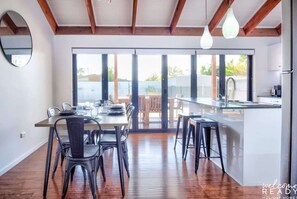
(155,13)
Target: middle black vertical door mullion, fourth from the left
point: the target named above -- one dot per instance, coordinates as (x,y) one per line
(164,94)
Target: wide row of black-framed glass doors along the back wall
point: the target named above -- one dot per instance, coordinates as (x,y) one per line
(154,81)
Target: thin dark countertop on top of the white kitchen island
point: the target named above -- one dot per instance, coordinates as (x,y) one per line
(221,105)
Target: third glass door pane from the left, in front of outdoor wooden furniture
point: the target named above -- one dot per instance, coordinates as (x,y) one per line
(149,91)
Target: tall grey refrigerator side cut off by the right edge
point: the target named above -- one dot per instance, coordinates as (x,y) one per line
(288,159)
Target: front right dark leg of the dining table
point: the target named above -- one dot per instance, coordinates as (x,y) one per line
(120,152)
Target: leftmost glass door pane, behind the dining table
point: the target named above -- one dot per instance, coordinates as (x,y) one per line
(89,75)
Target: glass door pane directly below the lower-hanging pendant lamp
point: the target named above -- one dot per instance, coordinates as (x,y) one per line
(207,75)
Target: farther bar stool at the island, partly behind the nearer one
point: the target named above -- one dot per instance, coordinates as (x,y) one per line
(185,118)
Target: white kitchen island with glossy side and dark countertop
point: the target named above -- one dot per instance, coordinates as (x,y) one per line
(250,136)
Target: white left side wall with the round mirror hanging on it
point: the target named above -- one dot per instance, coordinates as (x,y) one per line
(26,92)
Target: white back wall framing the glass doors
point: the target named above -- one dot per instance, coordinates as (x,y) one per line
(263,79)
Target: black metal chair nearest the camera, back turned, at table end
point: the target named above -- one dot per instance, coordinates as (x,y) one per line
(88,156)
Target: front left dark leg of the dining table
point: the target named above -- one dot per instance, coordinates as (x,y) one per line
(48,160)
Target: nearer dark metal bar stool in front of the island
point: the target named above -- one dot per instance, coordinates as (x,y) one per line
(197,125)
